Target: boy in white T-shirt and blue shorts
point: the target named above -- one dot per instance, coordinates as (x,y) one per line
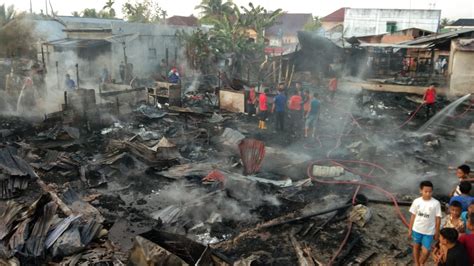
(424,223)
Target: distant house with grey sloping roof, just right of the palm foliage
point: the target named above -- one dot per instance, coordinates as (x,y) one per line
(285,31)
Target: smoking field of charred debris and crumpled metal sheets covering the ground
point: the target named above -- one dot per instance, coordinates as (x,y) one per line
(109,183)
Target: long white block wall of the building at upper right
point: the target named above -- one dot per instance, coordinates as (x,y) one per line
(363,22)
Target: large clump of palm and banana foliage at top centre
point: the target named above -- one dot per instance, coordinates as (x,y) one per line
(229,38)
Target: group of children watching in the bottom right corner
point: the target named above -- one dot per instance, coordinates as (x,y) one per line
(449,240)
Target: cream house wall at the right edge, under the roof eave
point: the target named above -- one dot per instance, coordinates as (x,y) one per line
(461,71)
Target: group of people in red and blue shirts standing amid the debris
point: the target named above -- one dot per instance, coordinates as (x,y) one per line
(294,109)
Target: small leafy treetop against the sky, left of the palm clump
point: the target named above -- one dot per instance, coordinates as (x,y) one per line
(146,11)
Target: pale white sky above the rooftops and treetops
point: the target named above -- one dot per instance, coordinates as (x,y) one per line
(452,9)
